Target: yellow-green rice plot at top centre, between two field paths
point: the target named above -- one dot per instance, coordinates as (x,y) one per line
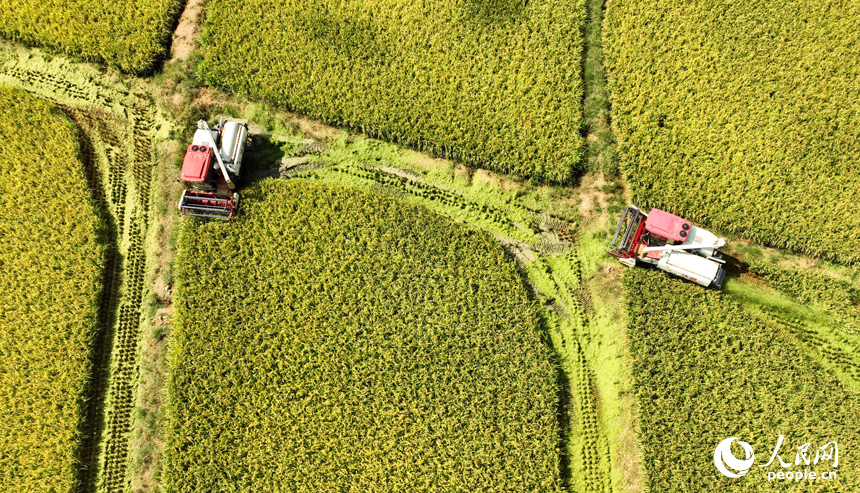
(497,84)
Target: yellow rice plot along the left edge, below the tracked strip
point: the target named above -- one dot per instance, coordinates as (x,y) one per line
(49,293)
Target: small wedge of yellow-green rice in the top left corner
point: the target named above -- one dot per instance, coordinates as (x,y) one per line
(129,35)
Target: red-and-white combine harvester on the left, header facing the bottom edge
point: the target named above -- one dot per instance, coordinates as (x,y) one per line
(211,167)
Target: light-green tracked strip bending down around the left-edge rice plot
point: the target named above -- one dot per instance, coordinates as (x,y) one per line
(115,126)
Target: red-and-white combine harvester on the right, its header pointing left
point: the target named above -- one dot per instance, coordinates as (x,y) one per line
(669,243)
